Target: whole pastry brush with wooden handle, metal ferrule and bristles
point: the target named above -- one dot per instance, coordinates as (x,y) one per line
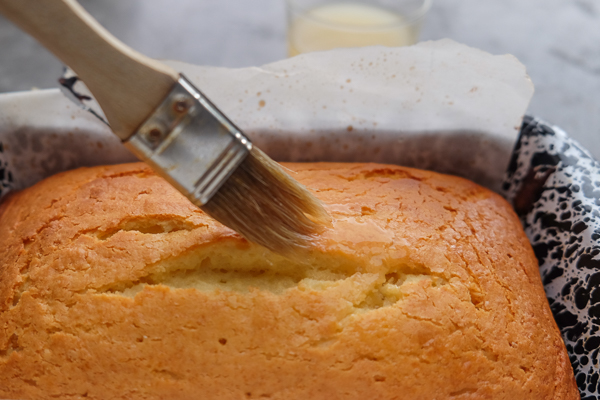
(168,123)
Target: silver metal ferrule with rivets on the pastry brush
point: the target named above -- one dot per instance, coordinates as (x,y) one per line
(190,143)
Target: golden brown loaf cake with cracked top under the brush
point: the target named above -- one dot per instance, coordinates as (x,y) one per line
(112,285)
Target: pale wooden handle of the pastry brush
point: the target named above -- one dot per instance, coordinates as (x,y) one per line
(127,84)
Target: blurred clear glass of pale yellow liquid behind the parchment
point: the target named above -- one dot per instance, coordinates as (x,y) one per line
(348,25)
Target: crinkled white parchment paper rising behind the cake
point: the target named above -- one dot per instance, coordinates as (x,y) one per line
(436,105)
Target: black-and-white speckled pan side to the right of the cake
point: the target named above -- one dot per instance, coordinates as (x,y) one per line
(554,185)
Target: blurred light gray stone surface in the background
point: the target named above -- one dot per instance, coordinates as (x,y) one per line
(558,41)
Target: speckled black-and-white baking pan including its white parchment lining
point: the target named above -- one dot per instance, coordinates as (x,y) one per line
(438,105)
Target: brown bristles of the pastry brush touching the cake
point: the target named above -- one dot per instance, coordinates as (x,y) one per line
(266,206)
